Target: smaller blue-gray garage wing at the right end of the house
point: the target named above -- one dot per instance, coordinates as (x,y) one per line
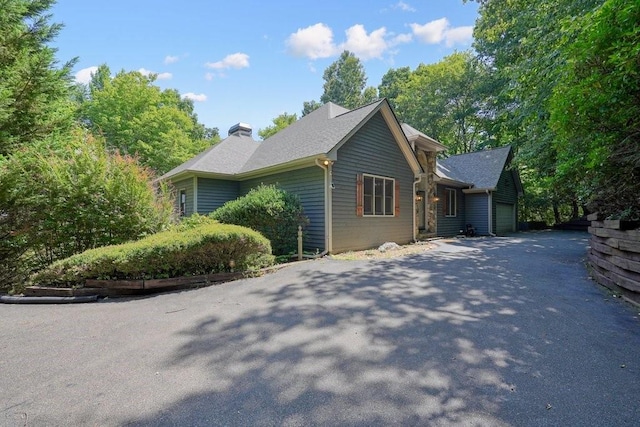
(480,189)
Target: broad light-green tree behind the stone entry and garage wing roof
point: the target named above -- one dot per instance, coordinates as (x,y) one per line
(445,100)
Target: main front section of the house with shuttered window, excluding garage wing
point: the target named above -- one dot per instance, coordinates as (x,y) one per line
(355,172)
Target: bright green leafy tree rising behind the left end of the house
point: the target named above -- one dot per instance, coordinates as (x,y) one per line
(138,118)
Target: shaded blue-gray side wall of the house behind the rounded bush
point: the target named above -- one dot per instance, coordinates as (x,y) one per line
(308,184)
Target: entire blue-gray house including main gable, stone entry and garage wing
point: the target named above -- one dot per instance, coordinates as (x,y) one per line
(362,177)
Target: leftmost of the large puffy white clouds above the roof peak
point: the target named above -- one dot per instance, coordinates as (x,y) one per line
(313,42)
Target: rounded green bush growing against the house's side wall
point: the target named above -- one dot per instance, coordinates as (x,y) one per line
(270,210)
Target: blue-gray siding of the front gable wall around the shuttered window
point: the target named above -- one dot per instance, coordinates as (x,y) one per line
(372,150)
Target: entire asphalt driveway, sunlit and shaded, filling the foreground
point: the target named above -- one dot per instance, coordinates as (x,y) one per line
(491,331)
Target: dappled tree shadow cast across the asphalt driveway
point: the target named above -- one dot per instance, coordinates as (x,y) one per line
(500,331)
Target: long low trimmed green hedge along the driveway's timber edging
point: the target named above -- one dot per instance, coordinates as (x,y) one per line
(205,249)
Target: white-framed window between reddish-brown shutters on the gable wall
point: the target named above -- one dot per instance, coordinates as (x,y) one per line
(377,196)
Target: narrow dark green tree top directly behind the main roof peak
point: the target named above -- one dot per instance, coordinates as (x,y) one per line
(345,81)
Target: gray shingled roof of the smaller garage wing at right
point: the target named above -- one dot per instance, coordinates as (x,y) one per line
(482,169)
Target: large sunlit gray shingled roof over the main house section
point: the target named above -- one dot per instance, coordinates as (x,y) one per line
(315,134)
